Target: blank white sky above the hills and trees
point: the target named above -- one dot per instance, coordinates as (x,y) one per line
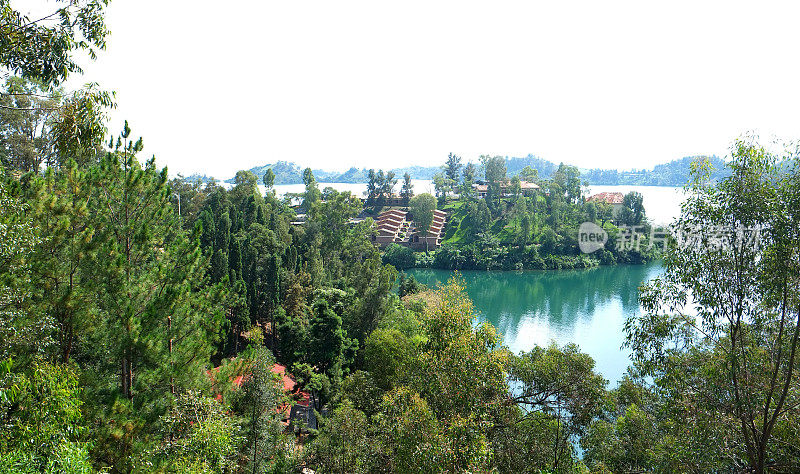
(219,86)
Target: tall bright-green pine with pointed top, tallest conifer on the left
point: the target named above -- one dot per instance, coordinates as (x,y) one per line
(159,325)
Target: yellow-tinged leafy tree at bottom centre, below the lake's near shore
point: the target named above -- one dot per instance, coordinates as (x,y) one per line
(468,392)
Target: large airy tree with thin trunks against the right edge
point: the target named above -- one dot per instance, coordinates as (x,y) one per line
(729,351)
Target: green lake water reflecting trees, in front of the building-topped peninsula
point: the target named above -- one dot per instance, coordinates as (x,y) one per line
(585,307)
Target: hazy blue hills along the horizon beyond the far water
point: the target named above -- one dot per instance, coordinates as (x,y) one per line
(674,173)
